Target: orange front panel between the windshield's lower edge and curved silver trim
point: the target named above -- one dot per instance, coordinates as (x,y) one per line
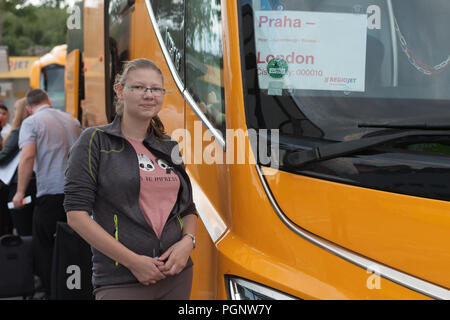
(404,232)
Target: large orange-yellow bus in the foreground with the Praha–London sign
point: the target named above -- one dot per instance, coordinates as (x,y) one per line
(316,135)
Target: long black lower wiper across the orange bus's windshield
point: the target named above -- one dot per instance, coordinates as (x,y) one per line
(298,159)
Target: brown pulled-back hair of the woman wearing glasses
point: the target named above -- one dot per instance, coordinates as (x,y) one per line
(141,63)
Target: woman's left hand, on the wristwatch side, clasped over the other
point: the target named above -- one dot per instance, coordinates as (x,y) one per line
(176,256)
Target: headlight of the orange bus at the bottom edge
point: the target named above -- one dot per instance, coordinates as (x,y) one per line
(240,289)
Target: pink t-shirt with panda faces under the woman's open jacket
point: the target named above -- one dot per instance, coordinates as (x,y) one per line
(159,187)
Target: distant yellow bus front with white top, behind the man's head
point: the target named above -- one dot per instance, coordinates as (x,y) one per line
(48,73)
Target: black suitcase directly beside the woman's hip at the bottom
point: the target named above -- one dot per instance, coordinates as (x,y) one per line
(72,266)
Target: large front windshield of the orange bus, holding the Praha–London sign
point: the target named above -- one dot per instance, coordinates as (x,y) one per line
(331,71)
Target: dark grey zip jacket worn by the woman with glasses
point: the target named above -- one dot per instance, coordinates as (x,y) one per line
(103,180)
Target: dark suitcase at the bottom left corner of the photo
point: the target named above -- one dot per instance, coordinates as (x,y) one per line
(16,266)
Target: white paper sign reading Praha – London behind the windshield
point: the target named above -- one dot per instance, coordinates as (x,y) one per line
(311,50)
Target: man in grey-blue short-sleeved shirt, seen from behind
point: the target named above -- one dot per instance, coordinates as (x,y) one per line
(45,139)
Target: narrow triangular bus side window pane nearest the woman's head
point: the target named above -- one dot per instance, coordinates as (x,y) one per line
(170,17)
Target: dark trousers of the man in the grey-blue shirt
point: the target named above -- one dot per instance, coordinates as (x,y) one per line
(48,211)
